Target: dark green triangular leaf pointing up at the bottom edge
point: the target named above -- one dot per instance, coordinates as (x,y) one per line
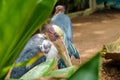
(89,70)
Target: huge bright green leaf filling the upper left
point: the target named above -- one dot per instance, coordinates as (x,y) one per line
(18,20)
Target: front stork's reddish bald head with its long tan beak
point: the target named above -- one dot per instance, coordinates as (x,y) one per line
(55,34)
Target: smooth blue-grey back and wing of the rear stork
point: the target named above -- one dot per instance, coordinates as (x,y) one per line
(64,22)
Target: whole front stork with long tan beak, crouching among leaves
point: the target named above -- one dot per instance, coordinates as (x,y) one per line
(49,45)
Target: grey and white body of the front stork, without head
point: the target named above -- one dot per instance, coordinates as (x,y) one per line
(37,43)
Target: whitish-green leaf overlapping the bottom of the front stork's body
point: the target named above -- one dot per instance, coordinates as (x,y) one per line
(39,70)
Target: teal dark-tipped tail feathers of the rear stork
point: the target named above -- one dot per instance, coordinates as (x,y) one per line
(73,51)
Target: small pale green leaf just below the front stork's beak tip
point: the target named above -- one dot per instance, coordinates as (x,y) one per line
(62,73)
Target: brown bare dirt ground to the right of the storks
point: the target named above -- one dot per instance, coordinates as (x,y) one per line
(91,33)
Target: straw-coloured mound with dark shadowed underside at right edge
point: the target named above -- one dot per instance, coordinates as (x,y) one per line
(112,50)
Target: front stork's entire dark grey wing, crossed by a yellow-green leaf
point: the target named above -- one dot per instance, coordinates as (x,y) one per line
(34,45)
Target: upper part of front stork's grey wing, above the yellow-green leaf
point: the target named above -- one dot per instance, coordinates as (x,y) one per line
(31,48)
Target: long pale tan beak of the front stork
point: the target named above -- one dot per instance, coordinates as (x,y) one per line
(59,43)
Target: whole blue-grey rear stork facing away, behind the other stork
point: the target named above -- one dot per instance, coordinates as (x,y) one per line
(63,21)
